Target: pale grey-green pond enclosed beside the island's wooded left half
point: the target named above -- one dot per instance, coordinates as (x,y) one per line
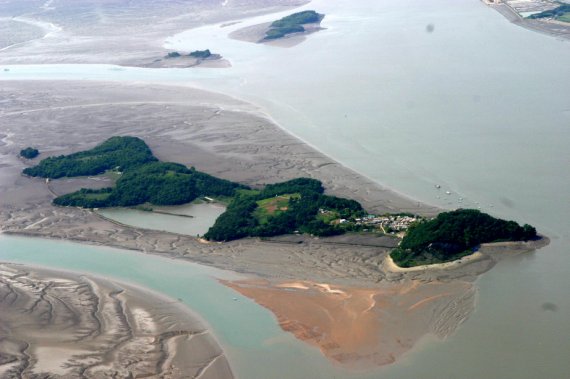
(203,216)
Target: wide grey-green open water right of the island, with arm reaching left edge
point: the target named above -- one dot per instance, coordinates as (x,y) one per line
(478,106)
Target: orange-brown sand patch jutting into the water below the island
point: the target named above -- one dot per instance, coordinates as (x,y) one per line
(361,327)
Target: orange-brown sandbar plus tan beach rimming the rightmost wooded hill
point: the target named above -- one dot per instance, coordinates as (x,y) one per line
(361,327)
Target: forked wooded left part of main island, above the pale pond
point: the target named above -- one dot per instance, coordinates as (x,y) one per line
(142,179)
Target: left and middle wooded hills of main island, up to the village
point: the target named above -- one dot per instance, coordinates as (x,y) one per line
(282,208)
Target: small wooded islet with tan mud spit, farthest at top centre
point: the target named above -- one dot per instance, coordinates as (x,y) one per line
(296,24)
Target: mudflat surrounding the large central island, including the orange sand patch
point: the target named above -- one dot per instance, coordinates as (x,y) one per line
(233,140)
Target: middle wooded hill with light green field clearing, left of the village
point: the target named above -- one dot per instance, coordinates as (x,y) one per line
(263,213)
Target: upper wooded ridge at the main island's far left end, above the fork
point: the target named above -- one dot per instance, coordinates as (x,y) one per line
(120,153)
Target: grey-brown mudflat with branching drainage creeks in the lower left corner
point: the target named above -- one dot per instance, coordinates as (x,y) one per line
(64,325)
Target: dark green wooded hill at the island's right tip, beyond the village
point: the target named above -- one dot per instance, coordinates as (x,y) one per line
(452,235)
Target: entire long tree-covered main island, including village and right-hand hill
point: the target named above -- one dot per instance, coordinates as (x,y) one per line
(295,206)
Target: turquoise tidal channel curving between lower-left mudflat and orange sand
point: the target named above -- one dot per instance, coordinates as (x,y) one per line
(256,347)
